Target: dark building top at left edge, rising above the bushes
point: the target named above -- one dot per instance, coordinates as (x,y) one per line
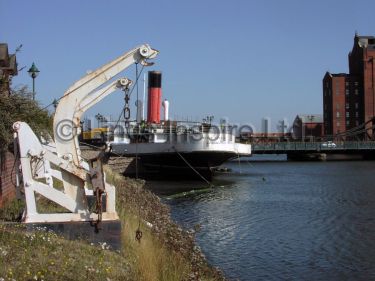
(8,68)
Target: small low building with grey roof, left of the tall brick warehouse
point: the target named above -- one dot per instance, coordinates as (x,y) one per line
(308,127)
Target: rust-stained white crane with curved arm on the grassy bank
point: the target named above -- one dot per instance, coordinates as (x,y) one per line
(41,162)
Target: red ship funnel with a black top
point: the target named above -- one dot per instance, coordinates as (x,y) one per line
(154,97)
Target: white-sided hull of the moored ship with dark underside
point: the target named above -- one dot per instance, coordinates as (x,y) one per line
(181,154)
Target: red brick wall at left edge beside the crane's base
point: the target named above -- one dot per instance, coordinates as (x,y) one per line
(7,180)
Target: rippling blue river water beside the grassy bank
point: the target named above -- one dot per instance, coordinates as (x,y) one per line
(278,220)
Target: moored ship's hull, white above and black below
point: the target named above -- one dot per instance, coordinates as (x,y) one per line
(179,158)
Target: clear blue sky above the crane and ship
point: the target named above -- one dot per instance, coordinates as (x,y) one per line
(243,60)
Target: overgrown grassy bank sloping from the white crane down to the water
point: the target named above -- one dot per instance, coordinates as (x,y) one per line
(165,252)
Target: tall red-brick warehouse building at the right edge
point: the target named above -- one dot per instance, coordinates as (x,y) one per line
(348,99)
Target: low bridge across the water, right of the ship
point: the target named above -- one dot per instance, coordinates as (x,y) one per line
(296,149)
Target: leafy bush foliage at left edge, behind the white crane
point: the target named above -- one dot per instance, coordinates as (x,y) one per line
(20,107)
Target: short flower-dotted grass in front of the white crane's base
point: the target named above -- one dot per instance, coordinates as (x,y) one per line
(42,255)
